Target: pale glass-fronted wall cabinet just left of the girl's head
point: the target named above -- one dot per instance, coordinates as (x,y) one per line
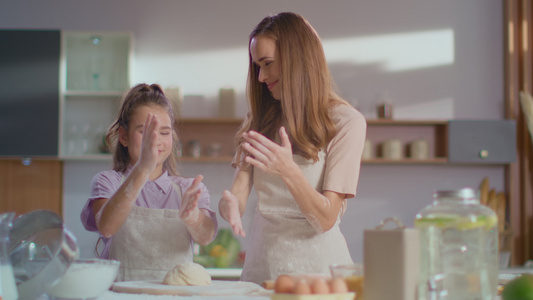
(95,73)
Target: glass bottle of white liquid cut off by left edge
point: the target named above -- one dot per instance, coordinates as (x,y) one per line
(8,289)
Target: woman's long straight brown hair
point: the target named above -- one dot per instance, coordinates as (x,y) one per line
(306,88)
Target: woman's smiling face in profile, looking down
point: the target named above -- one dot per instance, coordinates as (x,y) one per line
(265,56)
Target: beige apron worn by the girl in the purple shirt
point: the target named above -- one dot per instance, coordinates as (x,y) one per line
(150,243)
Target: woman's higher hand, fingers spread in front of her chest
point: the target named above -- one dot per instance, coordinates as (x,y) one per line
(267,155)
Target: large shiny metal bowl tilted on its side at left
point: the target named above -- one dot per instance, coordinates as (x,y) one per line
(41,249)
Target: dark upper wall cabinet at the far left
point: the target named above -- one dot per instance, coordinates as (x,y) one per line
(29,80)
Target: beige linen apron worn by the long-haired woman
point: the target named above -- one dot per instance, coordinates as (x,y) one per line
(282,240)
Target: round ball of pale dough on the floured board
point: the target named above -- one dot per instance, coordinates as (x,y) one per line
(187,274)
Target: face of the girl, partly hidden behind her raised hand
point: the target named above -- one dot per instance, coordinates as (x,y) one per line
(133,138)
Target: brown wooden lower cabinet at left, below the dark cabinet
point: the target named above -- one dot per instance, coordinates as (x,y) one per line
(29,185)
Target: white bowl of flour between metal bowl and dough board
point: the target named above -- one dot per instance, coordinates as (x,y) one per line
(85,279)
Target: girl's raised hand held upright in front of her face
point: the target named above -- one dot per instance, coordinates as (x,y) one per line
(149,152)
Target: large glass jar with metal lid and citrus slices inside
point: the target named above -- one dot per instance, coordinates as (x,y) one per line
(458,247)
